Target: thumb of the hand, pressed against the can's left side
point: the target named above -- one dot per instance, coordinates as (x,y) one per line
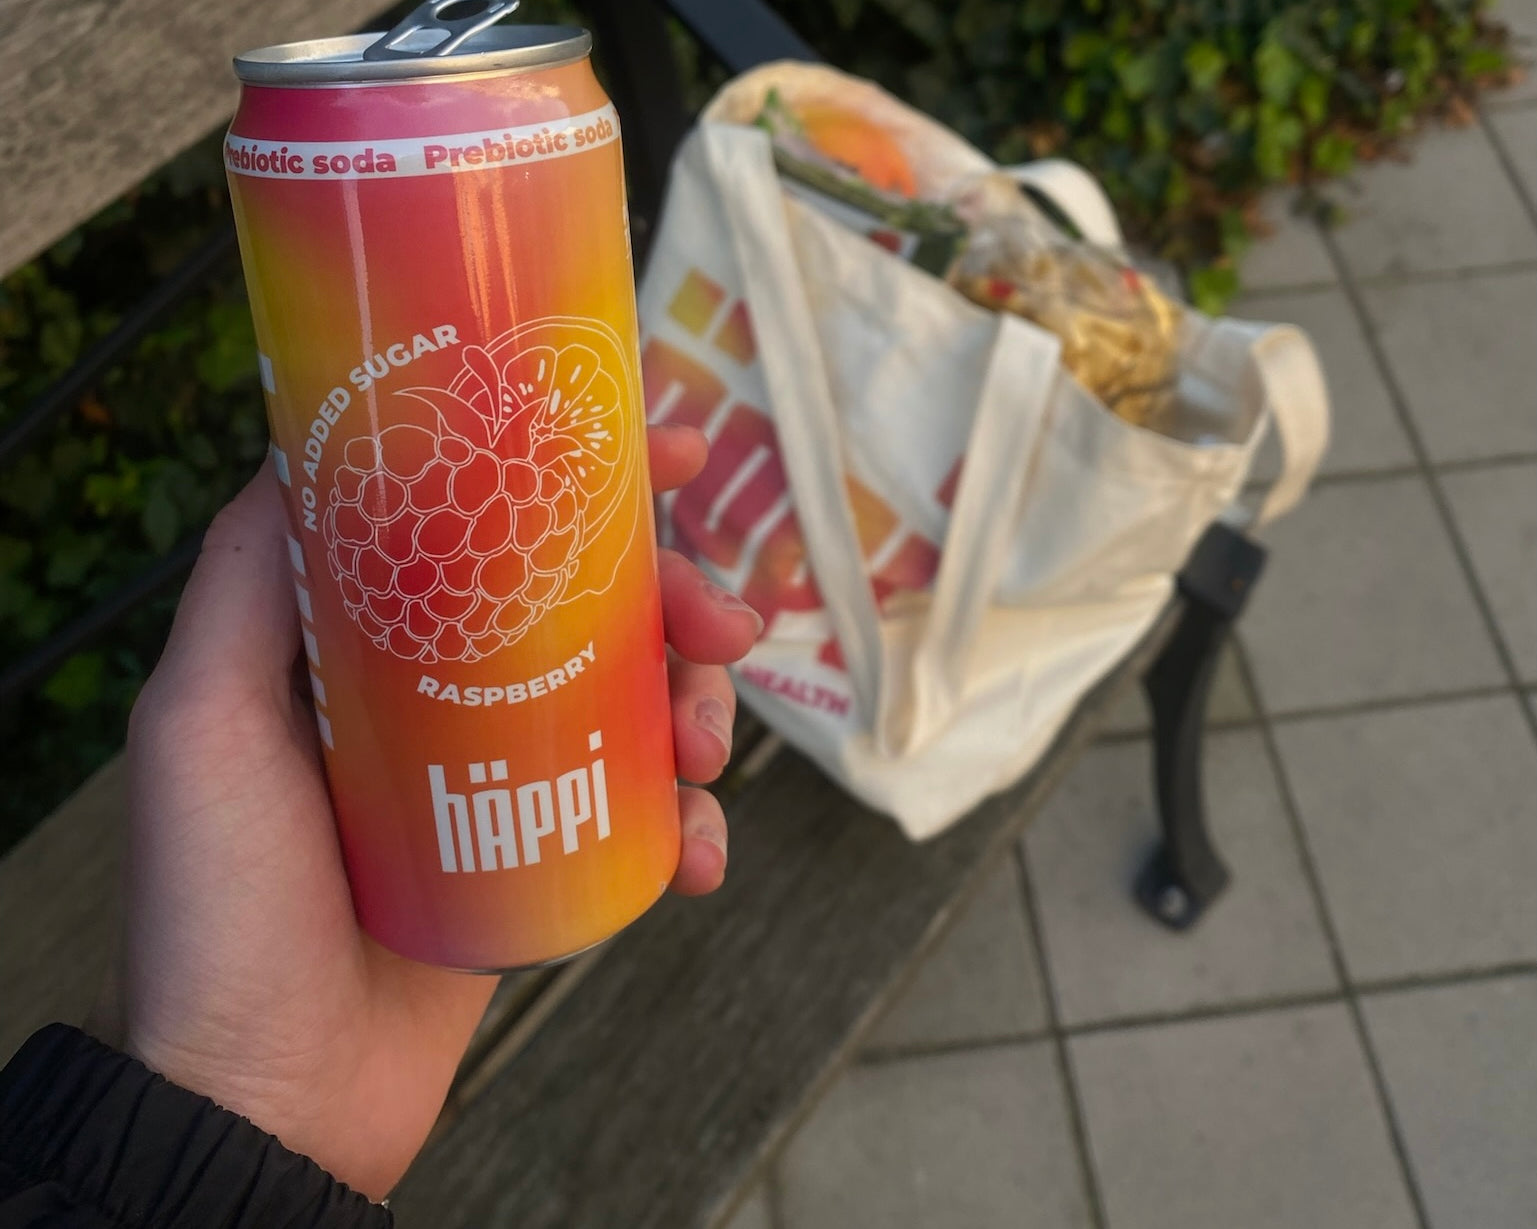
(237,621)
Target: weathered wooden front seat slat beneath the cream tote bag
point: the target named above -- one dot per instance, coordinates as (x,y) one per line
(688,1055)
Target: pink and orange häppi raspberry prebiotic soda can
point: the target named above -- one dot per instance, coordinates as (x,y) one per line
(437,254)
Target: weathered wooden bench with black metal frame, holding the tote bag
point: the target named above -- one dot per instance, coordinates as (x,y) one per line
(648,1082)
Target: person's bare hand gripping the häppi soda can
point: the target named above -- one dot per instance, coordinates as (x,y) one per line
(245,976)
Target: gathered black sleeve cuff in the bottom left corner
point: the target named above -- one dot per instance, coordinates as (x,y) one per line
(90,1139)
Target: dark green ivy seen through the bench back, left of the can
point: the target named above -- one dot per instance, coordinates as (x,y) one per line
(136,466)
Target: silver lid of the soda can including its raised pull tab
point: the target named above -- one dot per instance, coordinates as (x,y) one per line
(423,45)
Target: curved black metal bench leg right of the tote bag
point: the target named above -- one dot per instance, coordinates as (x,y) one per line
(1186,873)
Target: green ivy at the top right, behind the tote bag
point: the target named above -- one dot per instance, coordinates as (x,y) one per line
(1184,110)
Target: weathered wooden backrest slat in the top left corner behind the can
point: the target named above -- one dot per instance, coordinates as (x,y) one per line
(96,98)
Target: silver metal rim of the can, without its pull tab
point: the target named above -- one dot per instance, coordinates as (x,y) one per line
(331,61)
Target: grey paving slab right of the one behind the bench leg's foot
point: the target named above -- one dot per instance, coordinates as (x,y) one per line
(1421,826)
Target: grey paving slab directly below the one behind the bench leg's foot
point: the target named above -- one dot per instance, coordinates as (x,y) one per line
(1255,1122)
